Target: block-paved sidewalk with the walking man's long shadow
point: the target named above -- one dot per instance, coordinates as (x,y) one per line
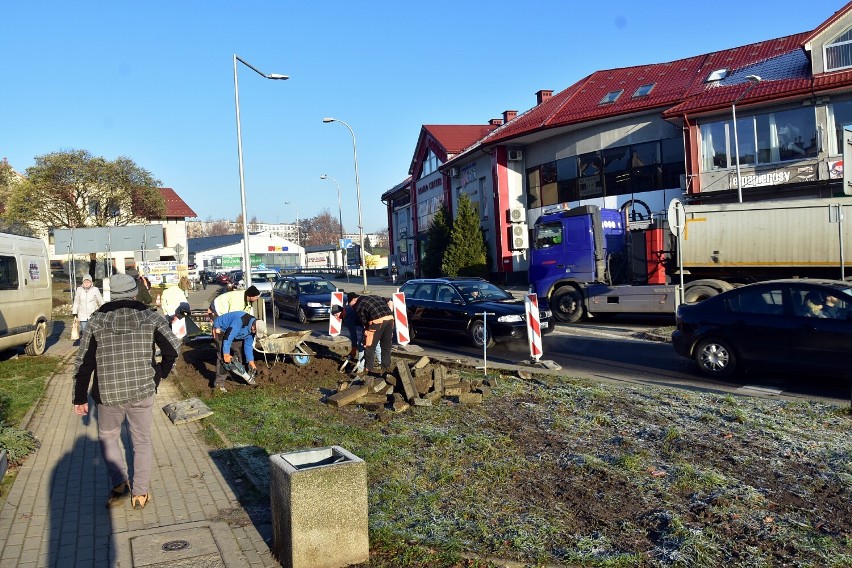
(55,513)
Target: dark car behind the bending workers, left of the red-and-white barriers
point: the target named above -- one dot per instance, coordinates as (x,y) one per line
(304,298)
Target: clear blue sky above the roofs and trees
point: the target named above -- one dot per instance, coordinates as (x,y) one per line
(154,81)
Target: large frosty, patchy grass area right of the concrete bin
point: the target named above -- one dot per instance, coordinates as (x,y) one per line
(561,471)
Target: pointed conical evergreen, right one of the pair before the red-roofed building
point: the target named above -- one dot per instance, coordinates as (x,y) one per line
(467,254)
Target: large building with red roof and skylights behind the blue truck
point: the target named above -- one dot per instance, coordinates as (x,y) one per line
(637,137)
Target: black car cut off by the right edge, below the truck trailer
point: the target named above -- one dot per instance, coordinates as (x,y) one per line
(801,323)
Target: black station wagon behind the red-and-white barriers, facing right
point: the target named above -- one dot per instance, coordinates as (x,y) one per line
(456,306)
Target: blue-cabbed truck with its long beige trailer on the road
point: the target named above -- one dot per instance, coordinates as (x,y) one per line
(589,261)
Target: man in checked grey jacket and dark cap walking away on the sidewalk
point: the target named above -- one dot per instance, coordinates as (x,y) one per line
(117,350)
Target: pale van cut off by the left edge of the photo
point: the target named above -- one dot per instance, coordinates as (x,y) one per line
(26,294)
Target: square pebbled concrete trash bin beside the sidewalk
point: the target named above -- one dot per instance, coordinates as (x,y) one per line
(319,508)
